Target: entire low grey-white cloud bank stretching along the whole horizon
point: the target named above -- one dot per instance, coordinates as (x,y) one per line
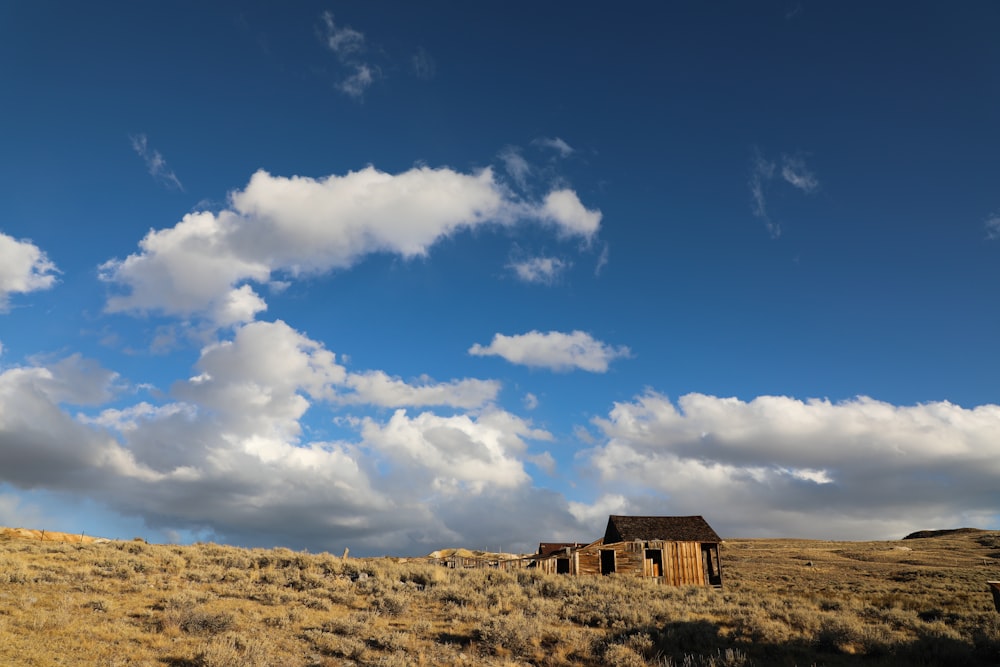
(227,455)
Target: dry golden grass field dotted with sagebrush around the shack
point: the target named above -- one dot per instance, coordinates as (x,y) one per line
(785,602)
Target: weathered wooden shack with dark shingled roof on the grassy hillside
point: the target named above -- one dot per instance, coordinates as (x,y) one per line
(675,550)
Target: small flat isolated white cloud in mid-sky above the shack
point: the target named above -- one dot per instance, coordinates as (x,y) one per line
(554,350)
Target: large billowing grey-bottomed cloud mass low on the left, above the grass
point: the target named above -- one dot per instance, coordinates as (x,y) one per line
(228,455)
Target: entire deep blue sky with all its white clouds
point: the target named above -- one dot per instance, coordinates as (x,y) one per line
(398,276)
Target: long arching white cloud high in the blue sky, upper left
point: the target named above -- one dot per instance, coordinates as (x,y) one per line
(203,265)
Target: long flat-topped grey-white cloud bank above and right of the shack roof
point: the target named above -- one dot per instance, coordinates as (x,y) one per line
(780,466)
